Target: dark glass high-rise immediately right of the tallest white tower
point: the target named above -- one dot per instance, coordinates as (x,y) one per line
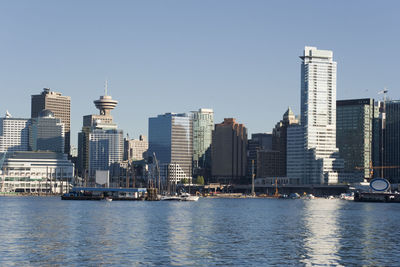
(354,132)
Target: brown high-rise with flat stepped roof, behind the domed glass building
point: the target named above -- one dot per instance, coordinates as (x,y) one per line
(58,104)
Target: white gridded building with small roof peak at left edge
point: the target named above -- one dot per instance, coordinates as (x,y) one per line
(14,134)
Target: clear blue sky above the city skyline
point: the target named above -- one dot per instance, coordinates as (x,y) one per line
(238,57)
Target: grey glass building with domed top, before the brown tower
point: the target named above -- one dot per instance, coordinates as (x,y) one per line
(46,133)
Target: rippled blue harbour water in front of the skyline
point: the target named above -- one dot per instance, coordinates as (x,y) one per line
(243,232)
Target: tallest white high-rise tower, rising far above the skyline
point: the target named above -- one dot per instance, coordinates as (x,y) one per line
(318,116)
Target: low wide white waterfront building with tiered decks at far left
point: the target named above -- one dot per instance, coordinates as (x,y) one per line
(36,172)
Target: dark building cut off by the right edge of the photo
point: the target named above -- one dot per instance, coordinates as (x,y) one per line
(391,147)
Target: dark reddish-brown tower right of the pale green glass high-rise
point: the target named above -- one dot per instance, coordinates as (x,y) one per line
(229,152)
